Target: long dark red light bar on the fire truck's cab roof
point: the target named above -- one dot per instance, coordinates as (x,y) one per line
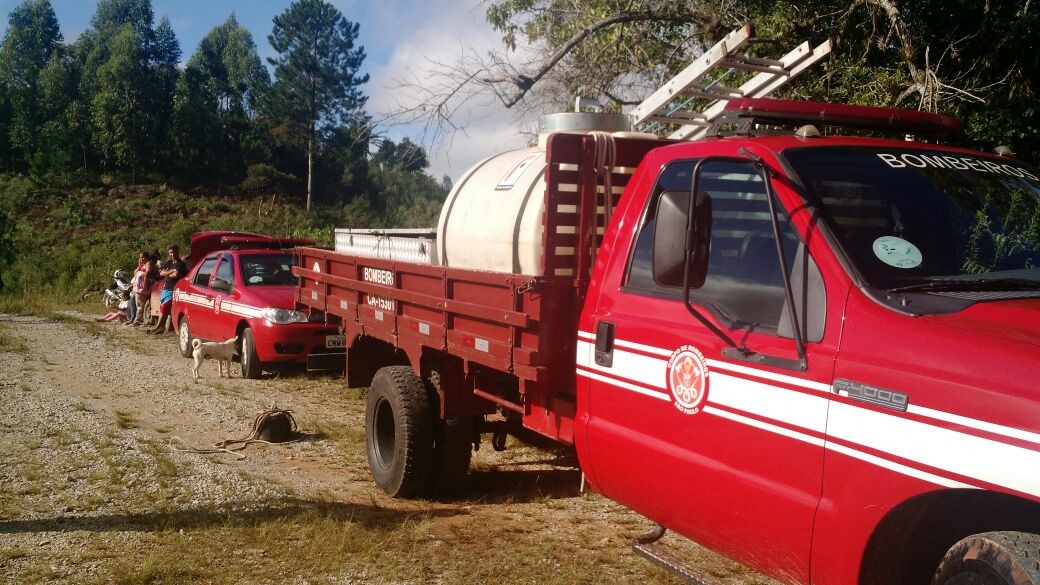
(746,114)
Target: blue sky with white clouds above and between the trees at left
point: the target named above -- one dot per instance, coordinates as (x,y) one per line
(401,39)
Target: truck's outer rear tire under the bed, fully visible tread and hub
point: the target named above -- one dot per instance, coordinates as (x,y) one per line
(400,433)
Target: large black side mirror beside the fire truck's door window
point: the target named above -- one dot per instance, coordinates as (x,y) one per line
(675,235)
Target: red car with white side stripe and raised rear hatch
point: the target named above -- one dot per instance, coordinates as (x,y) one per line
(242,285)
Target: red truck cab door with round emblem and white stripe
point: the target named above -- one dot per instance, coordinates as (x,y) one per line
(726,451)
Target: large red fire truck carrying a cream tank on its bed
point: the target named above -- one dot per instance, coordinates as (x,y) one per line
(816,354)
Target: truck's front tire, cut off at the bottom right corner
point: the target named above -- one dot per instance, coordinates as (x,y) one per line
(993,558)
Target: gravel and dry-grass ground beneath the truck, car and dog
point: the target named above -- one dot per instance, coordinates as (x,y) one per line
(94,488)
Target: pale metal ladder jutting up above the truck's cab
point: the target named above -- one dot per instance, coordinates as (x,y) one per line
(671,105)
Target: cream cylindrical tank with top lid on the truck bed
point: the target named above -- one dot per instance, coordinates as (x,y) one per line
(492,219)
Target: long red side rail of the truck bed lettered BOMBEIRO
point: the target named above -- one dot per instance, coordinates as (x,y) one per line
(512,323)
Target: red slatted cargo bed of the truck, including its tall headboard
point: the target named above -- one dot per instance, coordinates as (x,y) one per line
(513,336)
